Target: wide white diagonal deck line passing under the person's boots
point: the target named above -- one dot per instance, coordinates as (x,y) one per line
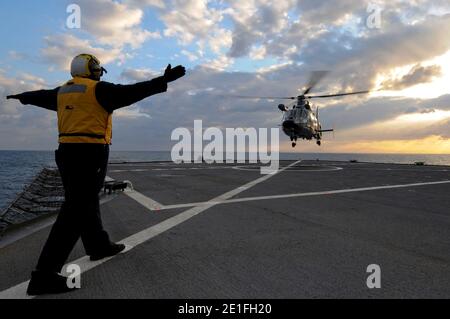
(19,291)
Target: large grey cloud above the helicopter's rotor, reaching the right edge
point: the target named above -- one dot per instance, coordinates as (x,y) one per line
(358,61)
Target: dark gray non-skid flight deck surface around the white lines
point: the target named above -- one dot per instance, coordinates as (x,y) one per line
(306,246)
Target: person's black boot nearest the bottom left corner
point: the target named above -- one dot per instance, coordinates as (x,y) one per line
(43,283)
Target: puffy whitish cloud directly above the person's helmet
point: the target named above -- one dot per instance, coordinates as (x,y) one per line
(110,27)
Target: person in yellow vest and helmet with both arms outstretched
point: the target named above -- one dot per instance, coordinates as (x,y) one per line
(84,106)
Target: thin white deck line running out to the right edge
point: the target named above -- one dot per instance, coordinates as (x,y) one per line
(330,192)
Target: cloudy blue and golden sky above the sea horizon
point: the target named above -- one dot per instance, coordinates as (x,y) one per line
(400,50)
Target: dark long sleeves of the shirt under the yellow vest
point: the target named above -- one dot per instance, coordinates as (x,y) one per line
(110,96)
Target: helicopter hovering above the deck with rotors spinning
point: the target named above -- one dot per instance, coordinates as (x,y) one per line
(299,120)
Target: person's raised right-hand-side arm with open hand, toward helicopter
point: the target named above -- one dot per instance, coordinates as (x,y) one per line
(114,96)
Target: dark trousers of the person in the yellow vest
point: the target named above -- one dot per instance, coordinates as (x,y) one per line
(83,169)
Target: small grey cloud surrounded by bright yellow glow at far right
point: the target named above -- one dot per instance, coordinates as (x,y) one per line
(416,75)
